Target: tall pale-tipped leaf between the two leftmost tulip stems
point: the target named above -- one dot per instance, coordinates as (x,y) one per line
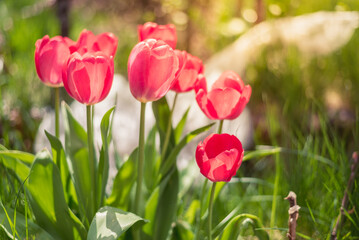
(77,159)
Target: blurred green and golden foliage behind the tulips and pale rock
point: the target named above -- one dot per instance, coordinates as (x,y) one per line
(310,106)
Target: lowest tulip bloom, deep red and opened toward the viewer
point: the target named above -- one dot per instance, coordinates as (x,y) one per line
(219,156)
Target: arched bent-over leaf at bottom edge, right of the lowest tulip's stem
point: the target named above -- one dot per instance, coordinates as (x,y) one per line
(232,229)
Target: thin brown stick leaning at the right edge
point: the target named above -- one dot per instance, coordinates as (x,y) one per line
(353,168)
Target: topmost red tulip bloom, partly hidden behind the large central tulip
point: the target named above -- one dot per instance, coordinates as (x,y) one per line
(166,33)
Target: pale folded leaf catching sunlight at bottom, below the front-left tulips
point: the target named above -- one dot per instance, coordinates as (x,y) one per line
(109,223)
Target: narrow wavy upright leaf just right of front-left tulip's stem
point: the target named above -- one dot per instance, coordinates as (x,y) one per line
(104,164)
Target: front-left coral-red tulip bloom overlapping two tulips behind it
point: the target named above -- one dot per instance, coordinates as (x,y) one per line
(88,78)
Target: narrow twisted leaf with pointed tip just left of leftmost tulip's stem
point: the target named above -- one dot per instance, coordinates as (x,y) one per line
(59,158)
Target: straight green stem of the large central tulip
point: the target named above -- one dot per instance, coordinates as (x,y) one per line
(141,155)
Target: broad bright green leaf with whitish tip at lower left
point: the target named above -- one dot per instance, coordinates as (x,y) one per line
(47,200)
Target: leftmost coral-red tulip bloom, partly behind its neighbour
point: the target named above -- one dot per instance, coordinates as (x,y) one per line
(50,56)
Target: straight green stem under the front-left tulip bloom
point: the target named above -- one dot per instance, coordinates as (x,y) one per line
(92,162)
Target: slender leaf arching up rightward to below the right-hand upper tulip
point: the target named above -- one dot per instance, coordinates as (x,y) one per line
(171,160)
